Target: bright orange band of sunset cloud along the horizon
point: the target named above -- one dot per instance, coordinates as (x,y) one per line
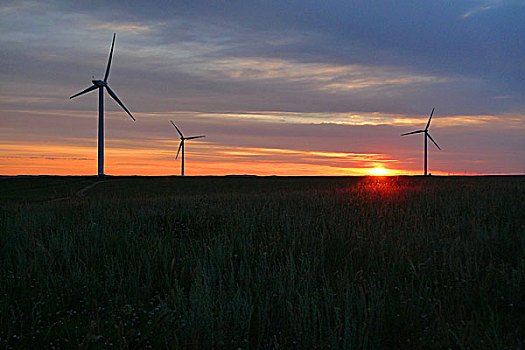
(201,159)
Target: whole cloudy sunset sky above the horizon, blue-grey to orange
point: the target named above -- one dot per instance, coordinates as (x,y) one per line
(278,87)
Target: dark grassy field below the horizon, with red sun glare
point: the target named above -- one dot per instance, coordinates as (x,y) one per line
(349,263)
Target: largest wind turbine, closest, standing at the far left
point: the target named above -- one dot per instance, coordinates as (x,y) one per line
(101,85)
